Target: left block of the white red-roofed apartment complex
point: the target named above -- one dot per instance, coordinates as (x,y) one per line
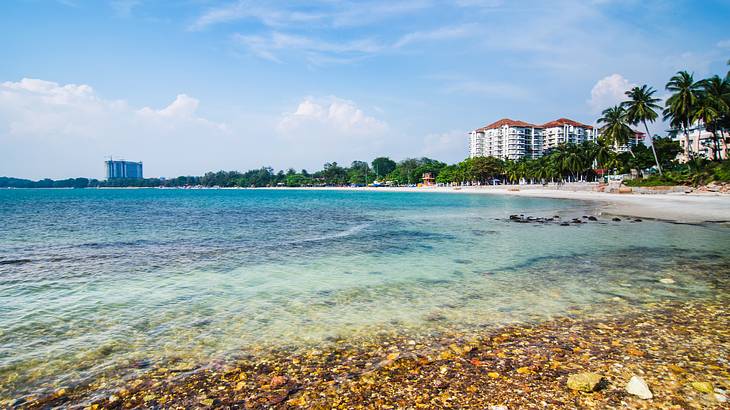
(506,139)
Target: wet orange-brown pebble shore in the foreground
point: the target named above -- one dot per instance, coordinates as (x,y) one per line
(672,345)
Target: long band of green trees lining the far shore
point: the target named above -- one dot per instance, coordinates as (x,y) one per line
(569,162)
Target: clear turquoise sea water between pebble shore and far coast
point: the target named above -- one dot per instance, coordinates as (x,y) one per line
(99,282)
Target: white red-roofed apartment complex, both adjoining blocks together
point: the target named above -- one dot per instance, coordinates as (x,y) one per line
(511,139)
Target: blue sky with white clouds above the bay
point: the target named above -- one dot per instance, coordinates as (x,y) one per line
(203,85)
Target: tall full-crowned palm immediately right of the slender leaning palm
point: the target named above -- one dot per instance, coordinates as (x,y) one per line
(682,103)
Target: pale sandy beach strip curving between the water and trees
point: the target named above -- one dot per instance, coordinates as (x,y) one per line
(674,206)
